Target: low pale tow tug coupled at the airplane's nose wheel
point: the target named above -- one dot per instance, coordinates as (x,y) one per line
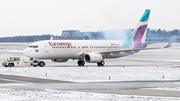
(15,61)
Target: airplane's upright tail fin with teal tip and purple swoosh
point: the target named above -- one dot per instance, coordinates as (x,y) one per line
(139,34)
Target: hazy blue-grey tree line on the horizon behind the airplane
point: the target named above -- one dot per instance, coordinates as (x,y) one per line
(152,35)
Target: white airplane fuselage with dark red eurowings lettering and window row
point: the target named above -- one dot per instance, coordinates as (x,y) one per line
(72,49)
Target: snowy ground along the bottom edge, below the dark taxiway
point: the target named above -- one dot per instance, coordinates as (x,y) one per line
(57,95)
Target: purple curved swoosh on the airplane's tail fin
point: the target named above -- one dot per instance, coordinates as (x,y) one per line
(138,36)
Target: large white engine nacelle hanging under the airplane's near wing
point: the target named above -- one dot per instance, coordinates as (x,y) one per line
(93,58)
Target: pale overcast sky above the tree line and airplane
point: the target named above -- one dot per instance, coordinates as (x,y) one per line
(32,17)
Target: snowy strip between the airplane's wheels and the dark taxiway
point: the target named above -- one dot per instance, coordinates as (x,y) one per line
(84,74)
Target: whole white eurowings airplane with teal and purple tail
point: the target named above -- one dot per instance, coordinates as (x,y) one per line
(91,51)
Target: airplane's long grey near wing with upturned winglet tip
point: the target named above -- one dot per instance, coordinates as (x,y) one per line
(130,50)
